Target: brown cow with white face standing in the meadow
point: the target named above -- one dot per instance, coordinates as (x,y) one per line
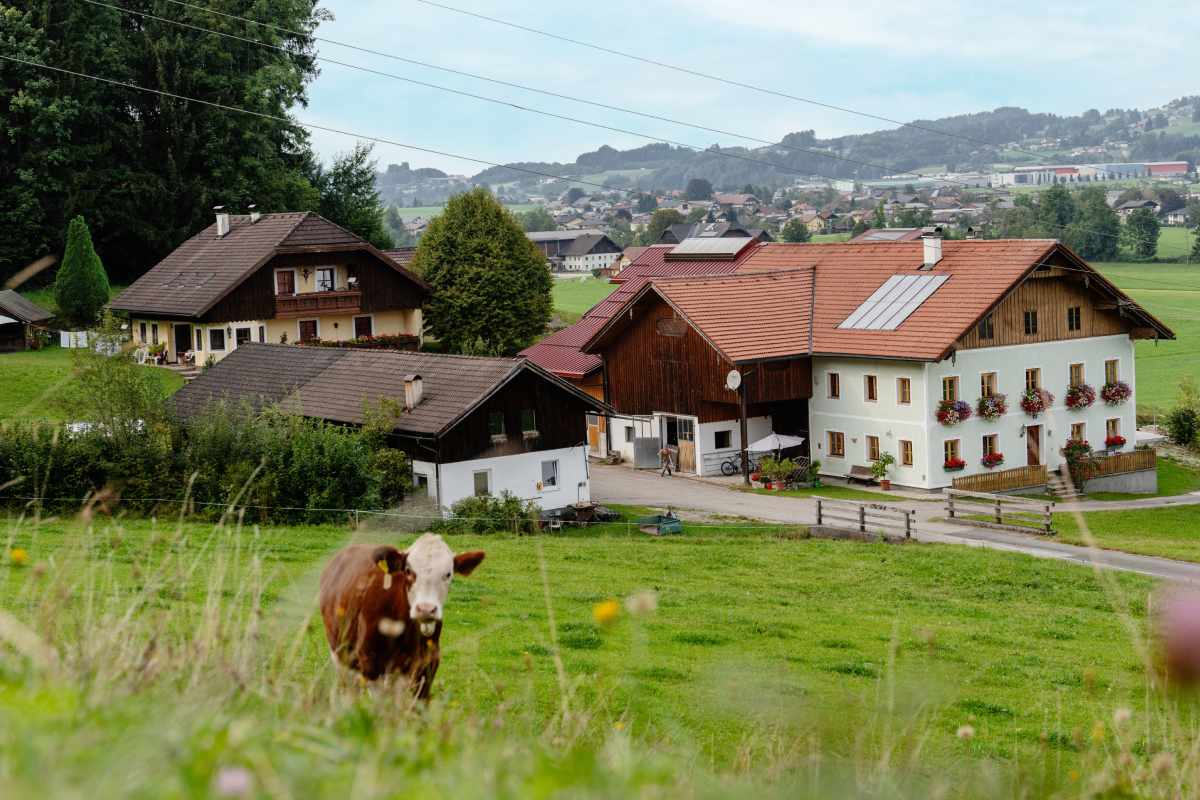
(383,607)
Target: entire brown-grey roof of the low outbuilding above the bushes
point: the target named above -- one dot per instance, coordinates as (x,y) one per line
(332,383)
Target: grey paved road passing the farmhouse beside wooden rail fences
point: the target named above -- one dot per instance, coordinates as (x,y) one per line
(647,489)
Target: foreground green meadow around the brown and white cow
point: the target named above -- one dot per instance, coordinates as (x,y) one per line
(773,669)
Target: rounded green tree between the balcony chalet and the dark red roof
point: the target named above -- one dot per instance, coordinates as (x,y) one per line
(491,285)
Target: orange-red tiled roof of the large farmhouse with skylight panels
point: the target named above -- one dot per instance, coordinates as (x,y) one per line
(773,290)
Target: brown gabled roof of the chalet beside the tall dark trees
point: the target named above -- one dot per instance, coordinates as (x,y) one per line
(205,268)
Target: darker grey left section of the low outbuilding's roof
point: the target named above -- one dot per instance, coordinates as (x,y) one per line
(259,374)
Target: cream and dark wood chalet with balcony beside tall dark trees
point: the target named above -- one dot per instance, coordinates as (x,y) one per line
(274,278)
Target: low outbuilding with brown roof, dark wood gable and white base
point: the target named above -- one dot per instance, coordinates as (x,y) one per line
(470,425)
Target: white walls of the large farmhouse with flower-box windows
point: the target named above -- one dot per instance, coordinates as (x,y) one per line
(892,423)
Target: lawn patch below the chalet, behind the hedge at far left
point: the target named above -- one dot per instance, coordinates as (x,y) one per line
(32,380)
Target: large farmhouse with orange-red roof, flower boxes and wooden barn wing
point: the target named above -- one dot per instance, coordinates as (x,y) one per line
(857,346)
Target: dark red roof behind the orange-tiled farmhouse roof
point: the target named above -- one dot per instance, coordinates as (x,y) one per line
(561,353)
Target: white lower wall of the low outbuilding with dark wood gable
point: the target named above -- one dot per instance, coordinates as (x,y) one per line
(519,474)
